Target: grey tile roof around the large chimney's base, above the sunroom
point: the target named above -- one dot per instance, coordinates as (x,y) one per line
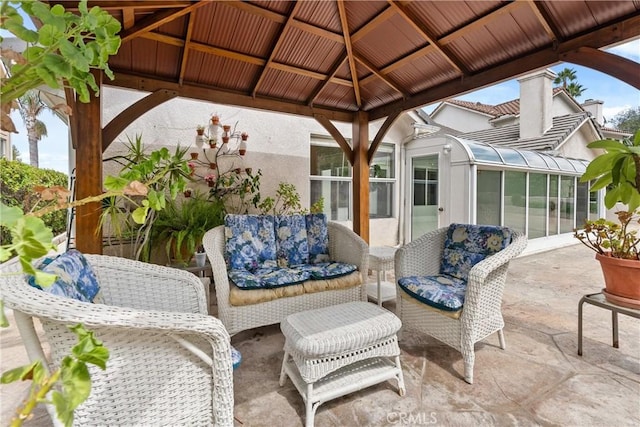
(509,136)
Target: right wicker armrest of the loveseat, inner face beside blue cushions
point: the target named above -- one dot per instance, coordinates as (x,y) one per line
(346,246)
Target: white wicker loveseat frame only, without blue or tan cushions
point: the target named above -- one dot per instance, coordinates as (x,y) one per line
(344,245)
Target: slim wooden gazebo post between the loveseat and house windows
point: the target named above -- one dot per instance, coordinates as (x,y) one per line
(361,175)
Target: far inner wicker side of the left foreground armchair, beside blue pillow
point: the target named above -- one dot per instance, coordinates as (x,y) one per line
(140,285)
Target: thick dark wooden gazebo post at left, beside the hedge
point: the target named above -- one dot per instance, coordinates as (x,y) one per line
(89,172)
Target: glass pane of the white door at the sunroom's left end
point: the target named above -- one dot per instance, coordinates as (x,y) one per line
(424,194)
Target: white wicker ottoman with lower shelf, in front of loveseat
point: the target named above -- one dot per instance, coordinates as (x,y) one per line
(336,350)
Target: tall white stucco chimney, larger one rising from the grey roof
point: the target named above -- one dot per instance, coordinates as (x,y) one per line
(536,100)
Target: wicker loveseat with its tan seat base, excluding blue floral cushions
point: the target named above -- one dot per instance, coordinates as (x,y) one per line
(241,309)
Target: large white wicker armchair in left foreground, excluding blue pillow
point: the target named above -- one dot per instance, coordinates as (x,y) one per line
(169,361)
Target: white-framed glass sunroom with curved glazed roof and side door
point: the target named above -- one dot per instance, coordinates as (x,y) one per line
(449,179)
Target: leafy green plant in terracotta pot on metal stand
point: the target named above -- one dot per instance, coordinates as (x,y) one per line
(617,246)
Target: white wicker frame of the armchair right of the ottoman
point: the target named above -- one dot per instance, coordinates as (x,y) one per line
(481,314)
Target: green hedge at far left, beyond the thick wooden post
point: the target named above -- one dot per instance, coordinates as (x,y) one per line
(17,183)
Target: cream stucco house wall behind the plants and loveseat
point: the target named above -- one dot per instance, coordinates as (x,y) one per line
(278,144)
